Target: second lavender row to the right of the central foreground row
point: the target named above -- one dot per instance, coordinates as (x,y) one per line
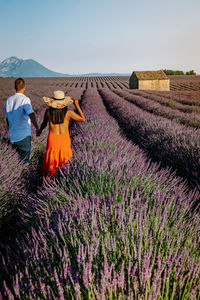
(192,120)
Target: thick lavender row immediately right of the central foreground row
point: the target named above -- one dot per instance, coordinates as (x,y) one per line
(165,141)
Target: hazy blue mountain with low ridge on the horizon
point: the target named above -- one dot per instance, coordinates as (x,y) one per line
(15,67)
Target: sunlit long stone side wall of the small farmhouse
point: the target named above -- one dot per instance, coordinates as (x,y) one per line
(158,85)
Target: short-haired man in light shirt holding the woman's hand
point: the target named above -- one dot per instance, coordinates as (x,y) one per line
(19,116)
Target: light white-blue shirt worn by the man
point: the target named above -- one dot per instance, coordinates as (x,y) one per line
(17,109)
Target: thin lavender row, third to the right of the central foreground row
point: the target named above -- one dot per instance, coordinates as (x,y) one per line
(167,102)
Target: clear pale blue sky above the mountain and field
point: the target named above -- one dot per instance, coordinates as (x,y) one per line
(84,36)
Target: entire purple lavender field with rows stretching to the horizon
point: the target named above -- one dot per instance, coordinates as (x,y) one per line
(122,220)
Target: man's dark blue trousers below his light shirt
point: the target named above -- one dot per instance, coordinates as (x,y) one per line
(23,147)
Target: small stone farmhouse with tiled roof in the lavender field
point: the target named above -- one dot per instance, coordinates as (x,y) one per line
(149,80)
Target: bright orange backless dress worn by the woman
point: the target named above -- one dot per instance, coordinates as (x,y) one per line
(57,153)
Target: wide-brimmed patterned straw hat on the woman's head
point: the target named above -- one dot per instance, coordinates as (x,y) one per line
(58,100)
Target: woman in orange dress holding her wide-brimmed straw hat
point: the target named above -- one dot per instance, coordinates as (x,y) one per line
(58,150)
